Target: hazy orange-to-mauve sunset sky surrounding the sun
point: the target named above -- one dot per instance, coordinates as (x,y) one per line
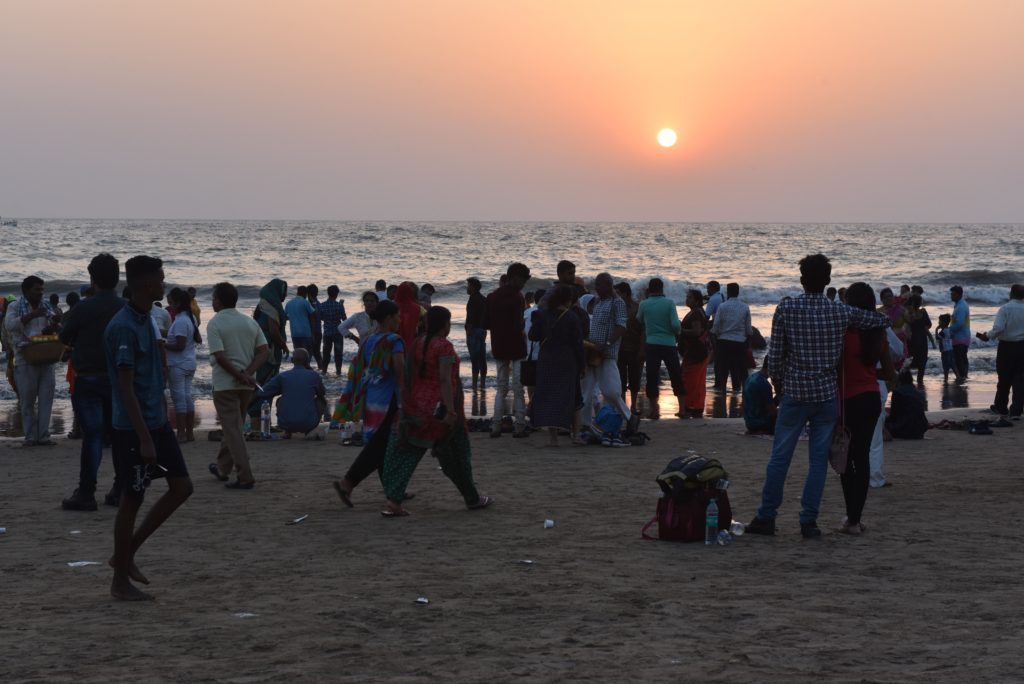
(514,110)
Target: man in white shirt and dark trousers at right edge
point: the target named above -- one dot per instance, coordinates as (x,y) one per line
(1009,330)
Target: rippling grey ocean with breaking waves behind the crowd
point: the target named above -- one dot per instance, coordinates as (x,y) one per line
(986,260)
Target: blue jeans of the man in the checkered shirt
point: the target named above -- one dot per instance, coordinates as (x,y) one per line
(793,416)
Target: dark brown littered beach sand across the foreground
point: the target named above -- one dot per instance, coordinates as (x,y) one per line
(931,592)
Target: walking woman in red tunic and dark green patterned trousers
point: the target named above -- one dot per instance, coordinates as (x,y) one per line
(433,418)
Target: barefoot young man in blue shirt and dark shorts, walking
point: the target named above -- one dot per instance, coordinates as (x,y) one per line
(145,447)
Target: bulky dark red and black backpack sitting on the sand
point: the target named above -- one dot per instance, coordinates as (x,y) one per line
(689,485)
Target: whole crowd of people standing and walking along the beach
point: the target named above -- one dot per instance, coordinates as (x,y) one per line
(566,355)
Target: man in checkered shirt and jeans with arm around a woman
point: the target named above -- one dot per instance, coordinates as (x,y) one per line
(807,337)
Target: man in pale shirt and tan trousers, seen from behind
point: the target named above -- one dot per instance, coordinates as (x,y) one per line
(238,348)
